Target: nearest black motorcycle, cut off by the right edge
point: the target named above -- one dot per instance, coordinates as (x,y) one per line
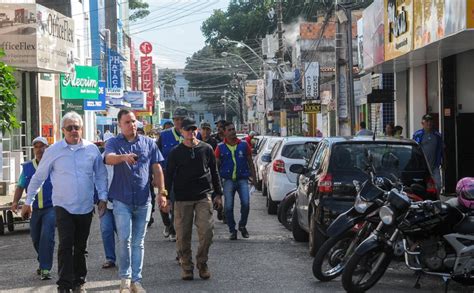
(431,243)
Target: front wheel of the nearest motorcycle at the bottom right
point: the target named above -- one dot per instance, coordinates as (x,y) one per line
(362,272)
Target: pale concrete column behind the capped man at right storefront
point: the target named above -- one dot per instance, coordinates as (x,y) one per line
(416,98)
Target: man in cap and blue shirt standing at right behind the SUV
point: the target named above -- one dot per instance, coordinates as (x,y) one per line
(431,142)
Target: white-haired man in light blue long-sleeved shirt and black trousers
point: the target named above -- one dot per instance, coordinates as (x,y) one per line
(75,166)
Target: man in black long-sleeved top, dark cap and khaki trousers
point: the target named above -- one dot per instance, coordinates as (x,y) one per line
(192,175)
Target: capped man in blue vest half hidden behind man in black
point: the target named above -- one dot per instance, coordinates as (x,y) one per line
(170,138)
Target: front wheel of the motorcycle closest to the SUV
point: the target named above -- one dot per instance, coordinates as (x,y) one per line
(332,257)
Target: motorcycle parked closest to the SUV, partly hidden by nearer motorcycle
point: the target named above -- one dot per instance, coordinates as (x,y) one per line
(350,228)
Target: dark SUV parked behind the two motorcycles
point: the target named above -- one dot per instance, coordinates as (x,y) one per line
(325,186)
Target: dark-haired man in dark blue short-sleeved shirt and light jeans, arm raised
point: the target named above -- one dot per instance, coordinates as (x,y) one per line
(132,156)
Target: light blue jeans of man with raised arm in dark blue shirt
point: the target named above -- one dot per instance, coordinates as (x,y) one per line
(131,223)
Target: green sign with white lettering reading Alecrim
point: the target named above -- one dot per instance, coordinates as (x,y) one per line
(82,83)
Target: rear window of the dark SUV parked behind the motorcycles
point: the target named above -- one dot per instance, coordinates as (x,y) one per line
(386,158)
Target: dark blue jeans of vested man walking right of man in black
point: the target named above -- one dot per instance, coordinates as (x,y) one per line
(242,187)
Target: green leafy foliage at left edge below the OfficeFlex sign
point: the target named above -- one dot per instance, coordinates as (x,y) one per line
(7,97)
